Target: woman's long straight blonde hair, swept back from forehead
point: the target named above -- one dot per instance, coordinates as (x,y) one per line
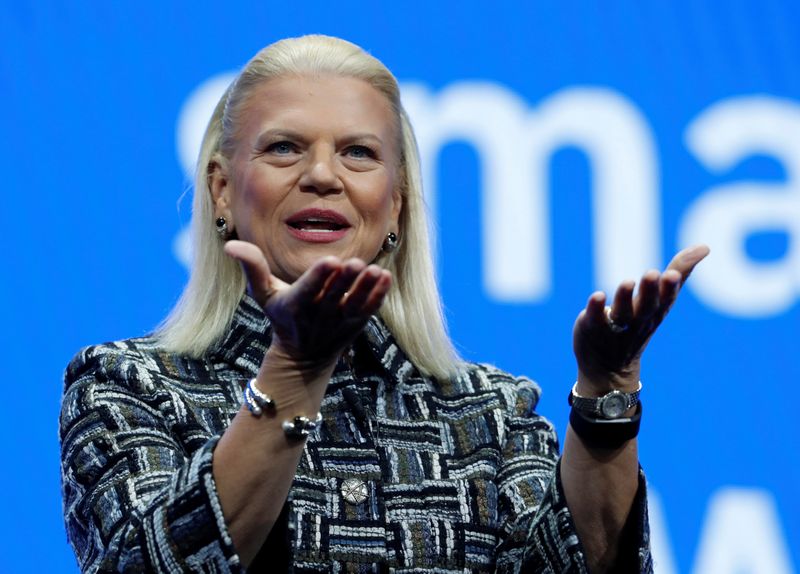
(412,309)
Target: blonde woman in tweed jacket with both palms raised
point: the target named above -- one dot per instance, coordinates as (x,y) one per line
(302,409)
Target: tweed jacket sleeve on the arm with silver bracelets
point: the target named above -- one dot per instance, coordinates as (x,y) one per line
(134,499)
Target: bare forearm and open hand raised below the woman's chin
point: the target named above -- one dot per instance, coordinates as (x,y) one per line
(313,320)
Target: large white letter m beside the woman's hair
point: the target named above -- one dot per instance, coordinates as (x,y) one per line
(515,146)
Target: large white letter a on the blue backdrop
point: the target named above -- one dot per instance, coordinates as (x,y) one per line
(724,216)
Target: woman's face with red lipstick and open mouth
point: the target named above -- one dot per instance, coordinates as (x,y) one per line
(314,172)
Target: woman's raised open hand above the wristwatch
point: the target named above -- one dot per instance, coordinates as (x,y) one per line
(609,341)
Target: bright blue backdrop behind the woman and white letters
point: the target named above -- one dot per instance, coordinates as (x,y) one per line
(91,180)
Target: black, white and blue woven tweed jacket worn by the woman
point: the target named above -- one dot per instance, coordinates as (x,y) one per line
(460,475)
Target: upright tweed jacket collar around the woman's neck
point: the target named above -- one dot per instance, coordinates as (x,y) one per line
(244,343)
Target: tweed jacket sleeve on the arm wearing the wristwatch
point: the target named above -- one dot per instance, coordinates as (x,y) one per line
(537,530)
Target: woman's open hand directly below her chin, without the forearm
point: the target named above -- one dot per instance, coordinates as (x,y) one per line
(315,318)
